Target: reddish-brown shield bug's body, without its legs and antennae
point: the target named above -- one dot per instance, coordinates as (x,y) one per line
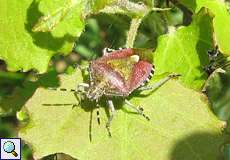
(117,74)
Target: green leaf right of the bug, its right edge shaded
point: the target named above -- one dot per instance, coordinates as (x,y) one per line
(184,51)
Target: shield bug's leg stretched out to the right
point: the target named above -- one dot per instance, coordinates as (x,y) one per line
(159,83)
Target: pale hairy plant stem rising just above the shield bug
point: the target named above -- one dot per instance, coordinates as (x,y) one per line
(135,23)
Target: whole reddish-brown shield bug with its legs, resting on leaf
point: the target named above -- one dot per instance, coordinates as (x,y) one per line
(117,74)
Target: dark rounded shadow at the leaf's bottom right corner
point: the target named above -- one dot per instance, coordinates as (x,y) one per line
(205,146)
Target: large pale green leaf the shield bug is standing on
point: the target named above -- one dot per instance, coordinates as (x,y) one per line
(181,126)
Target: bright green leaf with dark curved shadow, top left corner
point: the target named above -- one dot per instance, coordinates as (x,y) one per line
(23,49)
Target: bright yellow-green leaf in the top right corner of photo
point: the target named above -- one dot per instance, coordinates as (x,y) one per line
(221,21)
